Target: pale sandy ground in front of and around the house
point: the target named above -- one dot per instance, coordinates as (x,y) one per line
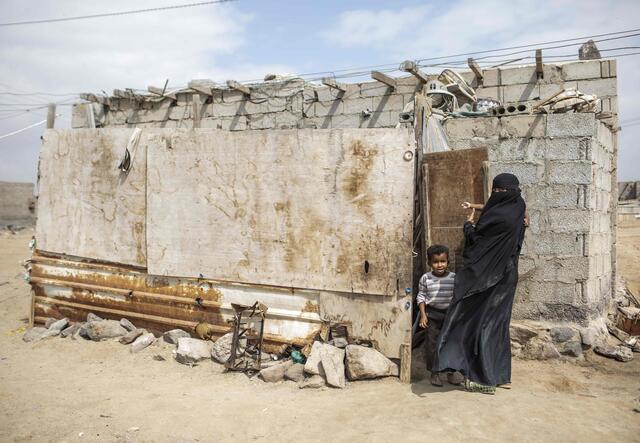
(65,390)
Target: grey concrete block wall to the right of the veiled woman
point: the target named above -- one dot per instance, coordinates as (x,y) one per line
(566,164)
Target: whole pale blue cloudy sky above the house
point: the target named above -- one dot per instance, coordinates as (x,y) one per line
(245,39)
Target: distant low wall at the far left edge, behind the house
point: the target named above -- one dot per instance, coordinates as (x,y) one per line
(17,204)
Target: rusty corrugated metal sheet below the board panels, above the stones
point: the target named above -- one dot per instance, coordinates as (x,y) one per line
(68,287)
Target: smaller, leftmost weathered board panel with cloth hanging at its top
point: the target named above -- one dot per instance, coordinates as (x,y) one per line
(86,207)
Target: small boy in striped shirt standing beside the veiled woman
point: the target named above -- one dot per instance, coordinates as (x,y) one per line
(434,296)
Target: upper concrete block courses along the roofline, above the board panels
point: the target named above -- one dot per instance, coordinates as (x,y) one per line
(295,103)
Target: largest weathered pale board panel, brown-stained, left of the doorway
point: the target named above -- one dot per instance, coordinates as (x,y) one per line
(269,215)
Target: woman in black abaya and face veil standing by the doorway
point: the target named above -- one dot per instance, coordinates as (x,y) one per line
(475,335)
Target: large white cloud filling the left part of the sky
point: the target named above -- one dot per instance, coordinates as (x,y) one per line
(106,53)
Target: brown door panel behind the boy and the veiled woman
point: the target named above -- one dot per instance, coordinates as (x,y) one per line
(453,177)
